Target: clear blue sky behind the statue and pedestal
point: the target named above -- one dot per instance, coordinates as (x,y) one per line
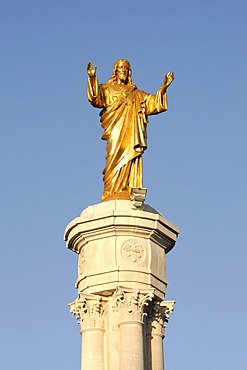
(195,168)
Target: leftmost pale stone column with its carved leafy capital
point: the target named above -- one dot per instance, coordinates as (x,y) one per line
(90,315)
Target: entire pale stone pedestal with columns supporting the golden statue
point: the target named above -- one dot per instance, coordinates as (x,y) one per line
(121,284)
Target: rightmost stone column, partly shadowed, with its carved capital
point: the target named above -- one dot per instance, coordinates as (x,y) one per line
(158,314)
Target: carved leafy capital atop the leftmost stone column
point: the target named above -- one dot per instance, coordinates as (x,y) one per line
(89,311)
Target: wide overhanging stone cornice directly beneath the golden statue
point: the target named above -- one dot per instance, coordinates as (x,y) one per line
(111,218)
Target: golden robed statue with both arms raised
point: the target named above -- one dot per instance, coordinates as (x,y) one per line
(124,120)
